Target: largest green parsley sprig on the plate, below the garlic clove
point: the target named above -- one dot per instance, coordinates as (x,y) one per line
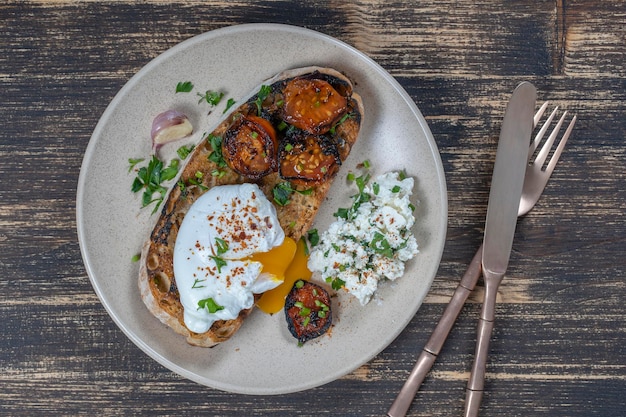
(150,179)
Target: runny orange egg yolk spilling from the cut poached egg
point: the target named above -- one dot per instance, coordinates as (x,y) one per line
(288,260)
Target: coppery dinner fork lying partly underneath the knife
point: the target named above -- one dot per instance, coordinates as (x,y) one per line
(535,180)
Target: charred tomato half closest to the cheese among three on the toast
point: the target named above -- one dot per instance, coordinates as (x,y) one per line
(307,159)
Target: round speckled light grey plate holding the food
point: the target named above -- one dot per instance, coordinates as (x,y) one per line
(262,358)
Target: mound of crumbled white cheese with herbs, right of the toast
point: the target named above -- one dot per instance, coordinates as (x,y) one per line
(372,242)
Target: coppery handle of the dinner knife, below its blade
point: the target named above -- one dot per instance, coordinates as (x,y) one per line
(476,383)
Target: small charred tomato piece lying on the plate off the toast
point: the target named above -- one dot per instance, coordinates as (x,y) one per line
(307,310)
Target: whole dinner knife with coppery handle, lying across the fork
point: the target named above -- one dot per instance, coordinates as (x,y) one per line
(504,197)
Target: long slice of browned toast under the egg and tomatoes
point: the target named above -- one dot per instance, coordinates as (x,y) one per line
(157,282)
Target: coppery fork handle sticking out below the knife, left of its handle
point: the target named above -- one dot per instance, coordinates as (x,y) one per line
(432,348)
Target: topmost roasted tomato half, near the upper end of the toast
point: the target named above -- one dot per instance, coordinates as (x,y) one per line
(312,105)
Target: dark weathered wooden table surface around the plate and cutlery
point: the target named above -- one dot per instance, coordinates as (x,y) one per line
(559,345)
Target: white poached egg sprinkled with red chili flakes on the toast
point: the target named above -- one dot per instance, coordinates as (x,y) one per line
(214,255)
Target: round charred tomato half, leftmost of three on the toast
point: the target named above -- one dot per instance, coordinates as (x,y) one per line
(249,147)
